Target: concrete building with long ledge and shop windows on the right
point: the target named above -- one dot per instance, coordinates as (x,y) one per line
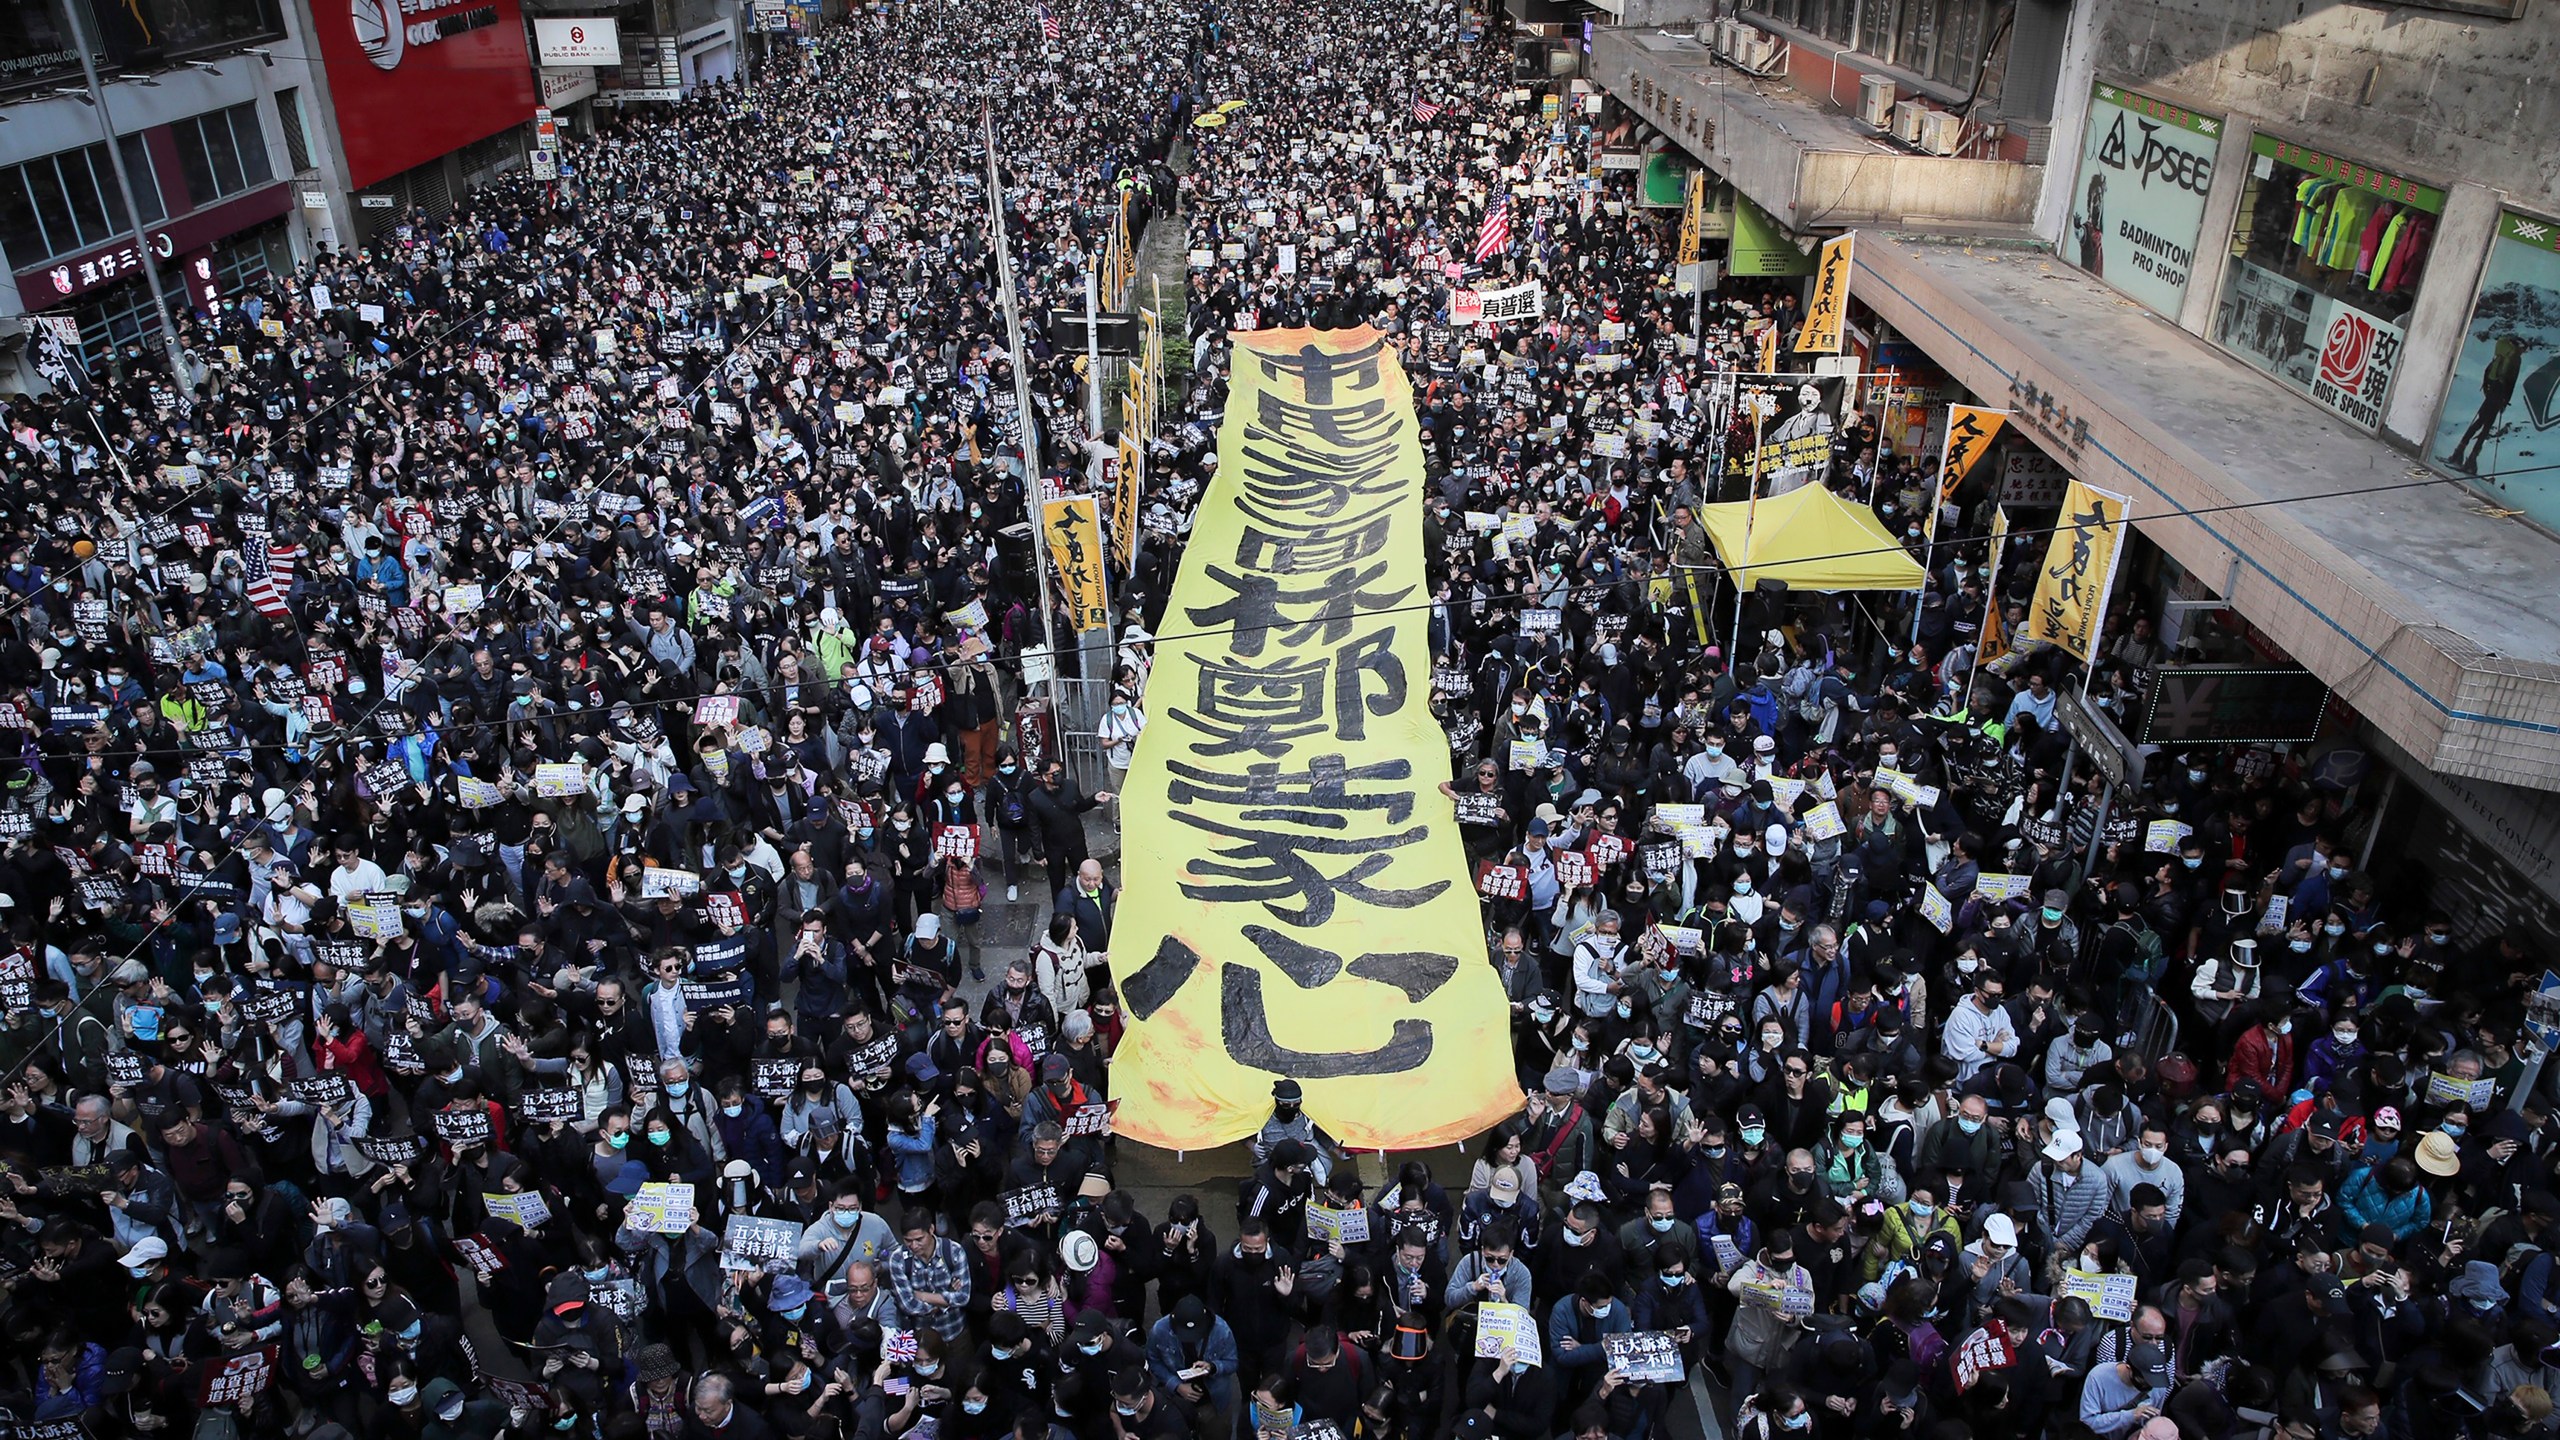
(2285,275)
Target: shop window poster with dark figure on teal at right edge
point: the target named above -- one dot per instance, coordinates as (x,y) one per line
(2505,396)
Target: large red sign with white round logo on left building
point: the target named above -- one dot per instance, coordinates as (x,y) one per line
(416,81)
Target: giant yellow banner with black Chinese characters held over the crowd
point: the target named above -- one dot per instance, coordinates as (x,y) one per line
(1297,898)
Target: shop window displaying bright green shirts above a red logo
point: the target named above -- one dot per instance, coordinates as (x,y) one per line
(2326,265)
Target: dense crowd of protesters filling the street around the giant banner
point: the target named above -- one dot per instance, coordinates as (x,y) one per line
(488,952)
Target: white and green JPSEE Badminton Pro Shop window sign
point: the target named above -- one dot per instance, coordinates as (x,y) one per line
(2139,206)
